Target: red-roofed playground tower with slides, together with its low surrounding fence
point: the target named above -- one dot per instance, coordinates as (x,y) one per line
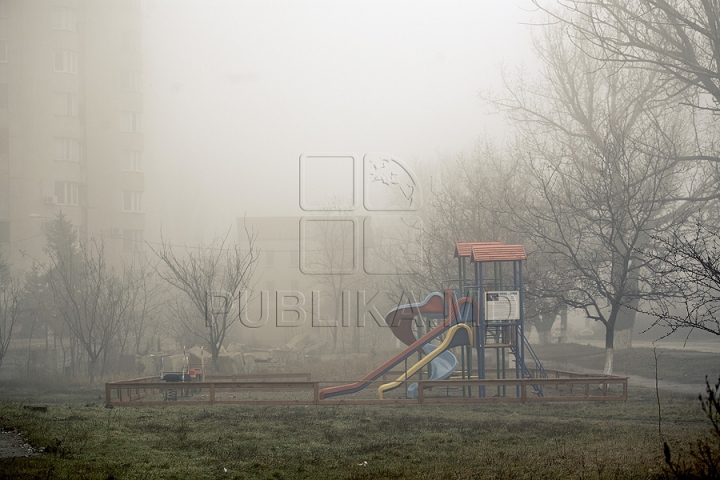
(481,321)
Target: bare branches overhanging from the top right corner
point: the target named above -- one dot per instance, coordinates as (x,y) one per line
(678,41)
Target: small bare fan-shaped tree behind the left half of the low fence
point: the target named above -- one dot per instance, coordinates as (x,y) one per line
(208,274)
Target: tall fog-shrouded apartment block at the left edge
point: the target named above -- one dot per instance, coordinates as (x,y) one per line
(71,136)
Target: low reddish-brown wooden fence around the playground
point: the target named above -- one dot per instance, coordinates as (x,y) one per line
(572,387)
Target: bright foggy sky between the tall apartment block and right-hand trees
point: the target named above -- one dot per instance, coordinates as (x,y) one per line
(235,92)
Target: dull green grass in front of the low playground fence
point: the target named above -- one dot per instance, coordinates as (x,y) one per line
(583,440)
